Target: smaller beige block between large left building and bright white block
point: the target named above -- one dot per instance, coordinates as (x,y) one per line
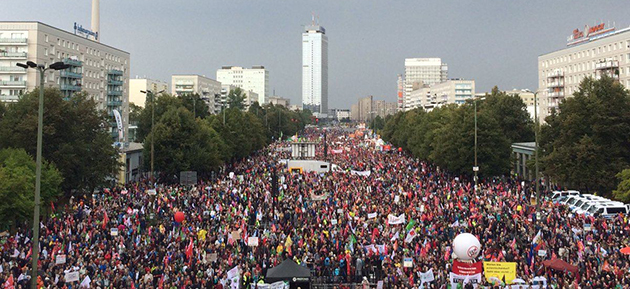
(206,88)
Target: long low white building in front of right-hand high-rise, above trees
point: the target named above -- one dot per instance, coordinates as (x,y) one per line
(451,91)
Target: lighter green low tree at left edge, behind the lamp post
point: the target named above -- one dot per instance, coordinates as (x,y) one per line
(17,185)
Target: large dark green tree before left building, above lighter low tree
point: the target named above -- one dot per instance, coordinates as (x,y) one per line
(75,136)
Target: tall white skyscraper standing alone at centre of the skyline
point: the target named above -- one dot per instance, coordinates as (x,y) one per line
(315,69)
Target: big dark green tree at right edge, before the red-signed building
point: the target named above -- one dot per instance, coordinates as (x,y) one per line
(588,142)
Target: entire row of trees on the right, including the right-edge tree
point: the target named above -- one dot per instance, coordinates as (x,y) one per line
(584,145)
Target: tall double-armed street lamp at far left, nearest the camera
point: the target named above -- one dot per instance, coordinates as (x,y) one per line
(38,170)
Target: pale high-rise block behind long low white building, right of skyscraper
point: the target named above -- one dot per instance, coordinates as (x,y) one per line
(423,72)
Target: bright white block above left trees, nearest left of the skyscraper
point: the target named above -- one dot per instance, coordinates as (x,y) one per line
(255,79)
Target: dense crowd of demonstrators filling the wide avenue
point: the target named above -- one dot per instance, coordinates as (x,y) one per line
(126,237)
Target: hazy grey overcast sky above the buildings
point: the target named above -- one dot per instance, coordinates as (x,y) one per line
(492,42)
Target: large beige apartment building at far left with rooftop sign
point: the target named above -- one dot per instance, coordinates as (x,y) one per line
(99,70)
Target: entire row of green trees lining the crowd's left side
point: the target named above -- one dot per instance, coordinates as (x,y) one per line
(79,155)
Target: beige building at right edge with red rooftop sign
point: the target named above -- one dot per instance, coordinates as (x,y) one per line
(594,51)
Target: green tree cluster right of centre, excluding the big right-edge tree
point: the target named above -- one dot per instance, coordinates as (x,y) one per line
(446,135)
